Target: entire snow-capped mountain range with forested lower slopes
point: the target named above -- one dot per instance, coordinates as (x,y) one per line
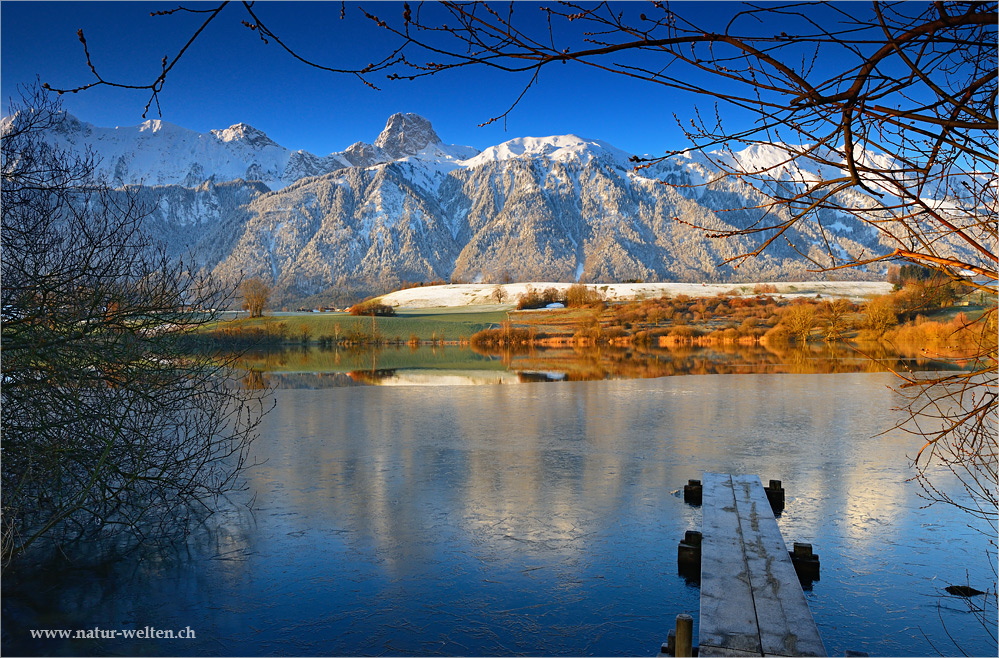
(409,207)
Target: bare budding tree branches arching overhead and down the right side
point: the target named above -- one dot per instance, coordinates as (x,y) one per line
(885,113)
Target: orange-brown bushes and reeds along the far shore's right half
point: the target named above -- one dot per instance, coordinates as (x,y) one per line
(937,316)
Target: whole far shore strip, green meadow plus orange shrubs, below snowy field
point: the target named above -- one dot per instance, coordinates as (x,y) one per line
(936,316)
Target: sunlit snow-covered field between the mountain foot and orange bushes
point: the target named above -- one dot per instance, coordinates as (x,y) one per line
(474,294)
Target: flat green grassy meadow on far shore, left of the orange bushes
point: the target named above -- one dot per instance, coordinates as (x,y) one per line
(452,325)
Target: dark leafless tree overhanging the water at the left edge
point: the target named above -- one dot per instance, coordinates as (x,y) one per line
(107,422)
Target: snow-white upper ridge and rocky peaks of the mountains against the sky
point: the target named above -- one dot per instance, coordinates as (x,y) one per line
(156,152)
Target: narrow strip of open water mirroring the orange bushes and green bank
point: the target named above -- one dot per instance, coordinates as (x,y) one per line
(310,367)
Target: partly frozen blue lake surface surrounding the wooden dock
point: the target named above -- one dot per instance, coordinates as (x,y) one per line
(537,519)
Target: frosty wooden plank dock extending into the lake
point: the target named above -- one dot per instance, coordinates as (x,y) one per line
(751,600)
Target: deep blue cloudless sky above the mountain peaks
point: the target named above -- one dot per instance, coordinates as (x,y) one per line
(229,76)
